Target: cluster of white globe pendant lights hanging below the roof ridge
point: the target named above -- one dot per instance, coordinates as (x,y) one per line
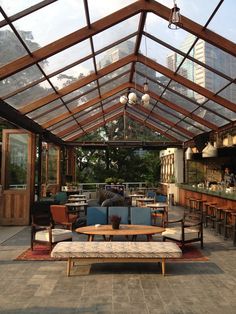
(132,98)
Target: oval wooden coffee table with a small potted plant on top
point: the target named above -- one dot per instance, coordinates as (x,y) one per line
(124,230)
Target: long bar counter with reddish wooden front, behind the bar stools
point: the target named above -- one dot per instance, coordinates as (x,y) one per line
(220,197)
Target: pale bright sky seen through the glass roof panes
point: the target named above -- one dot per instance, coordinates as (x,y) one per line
(65,16)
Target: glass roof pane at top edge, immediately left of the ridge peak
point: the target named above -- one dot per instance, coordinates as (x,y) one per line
(102,8)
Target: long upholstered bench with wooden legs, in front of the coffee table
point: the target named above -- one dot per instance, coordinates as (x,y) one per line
(106,252)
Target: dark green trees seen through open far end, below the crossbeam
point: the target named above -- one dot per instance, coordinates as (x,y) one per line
(131,165)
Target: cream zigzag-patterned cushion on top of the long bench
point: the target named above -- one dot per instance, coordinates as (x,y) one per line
(117,250)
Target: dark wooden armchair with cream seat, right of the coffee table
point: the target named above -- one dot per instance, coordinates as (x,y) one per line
(185,230)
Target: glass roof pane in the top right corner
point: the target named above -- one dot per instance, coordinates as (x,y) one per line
(226,13)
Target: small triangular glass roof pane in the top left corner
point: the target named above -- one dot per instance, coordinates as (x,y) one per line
(12,6)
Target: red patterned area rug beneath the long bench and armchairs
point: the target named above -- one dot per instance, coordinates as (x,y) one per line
(42,253)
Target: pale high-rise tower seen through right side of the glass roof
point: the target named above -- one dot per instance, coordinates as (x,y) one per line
(211,56)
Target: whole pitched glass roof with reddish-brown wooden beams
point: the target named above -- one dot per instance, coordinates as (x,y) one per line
(65,65)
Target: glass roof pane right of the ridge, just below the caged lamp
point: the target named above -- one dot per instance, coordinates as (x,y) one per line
(158,27)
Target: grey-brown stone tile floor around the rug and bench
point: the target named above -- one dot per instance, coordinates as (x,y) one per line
(189,287)
